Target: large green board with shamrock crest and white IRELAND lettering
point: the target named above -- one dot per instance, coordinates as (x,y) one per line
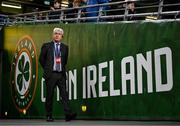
(120,71)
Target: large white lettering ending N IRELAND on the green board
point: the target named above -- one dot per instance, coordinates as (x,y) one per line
(149,72)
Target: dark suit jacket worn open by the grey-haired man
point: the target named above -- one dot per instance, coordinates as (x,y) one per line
(46,58)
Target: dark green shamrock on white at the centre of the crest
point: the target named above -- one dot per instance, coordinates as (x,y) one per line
(23,73)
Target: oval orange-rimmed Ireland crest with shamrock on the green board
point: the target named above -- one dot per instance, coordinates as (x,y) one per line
(24,70)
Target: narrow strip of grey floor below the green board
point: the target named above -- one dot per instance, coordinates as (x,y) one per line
(38,122)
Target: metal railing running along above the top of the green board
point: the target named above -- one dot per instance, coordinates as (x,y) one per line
(115,11)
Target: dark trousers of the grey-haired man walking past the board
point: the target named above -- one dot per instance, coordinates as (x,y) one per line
(56,79)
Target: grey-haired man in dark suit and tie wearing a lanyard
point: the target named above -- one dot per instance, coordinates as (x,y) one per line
(53,58)
